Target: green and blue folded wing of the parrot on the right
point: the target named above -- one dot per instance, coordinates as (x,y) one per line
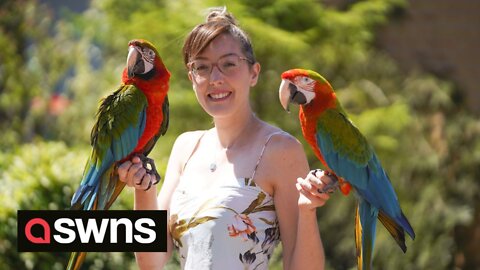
(348,154)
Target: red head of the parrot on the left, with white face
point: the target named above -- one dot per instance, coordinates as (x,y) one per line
(142,58)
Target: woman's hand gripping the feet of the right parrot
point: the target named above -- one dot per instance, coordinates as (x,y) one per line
(310,188)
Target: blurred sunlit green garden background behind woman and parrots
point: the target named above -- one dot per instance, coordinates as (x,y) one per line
(406,71)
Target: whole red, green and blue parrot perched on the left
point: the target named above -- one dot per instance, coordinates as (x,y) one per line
(128,123)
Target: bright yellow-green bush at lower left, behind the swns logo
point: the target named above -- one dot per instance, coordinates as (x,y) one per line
(43,176)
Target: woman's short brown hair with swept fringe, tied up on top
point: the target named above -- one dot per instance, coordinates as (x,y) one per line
(218,22)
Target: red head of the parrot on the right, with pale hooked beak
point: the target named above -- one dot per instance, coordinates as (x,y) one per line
(303,87)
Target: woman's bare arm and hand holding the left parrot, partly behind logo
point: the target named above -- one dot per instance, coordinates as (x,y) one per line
(132,172)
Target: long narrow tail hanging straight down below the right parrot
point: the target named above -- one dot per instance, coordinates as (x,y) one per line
(365,227)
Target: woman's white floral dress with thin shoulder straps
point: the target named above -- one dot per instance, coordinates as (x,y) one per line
(233,226)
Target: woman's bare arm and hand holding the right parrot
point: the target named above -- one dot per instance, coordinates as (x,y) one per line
(296,200)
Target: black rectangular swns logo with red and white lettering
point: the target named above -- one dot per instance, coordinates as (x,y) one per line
(92,231)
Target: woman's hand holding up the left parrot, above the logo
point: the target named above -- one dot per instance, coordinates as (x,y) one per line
(134,174)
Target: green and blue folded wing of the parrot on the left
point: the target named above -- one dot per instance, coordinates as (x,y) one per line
(121,120)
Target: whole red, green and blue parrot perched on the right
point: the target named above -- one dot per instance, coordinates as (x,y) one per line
(347,157)
